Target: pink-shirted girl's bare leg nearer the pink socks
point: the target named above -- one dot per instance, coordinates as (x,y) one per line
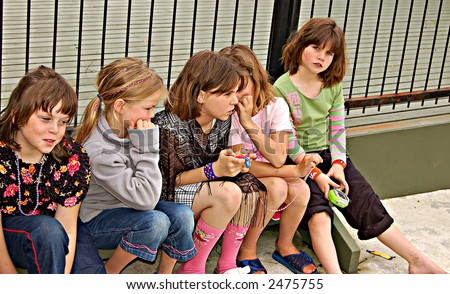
(277,191)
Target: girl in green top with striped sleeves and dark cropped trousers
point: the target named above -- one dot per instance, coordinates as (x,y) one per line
(315,61)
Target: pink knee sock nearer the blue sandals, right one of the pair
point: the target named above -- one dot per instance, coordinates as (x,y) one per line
(232,240)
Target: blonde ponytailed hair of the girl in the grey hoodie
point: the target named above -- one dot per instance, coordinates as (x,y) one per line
(118,80)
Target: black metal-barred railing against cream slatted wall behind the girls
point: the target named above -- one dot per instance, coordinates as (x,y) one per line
(394,46)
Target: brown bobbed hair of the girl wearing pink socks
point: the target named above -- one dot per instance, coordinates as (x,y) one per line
(205,71)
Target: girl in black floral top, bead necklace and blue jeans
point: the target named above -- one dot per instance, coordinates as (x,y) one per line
(44,177)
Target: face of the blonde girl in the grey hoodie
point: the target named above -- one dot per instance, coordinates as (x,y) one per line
(142,110)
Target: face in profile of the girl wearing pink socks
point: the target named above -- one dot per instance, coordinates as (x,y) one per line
(218,106)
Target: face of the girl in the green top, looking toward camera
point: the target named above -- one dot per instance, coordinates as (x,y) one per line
(317,58)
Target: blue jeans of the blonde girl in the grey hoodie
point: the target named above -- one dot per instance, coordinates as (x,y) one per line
(142,232)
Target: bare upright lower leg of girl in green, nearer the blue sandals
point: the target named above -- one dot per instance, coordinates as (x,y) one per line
(322,241)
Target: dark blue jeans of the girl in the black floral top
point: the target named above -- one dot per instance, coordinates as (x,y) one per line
(39,244)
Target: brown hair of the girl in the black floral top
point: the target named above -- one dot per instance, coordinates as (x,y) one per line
(41,88)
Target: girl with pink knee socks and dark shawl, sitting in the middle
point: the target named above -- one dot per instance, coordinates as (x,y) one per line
(198,169)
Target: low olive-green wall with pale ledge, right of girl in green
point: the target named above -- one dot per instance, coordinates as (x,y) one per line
(403,158)
